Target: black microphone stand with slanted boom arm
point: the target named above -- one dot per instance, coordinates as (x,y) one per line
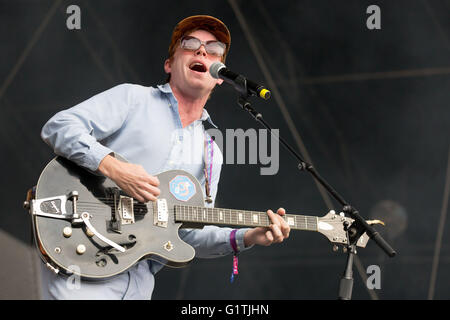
(355,230)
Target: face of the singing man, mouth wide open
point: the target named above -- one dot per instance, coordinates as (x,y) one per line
(189,70)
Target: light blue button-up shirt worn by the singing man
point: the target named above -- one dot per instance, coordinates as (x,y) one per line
(143,125)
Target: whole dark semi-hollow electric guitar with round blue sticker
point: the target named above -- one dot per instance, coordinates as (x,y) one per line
(85,225)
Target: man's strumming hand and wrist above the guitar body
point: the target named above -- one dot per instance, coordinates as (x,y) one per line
(131,178)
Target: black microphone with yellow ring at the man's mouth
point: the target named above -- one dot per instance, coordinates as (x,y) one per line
(219,71)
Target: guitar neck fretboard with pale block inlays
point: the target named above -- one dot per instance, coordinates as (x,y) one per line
(243,218)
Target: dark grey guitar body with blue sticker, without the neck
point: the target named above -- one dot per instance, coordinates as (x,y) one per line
(85,254)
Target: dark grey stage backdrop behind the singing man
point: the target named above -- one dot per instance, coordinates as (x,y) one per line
(370,106)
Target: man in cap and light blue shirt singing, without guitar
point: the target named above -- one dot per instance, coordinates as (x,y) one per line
(156,129)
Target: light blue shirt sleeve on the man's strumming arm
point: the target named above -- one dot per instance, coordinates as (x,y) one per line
(76,133)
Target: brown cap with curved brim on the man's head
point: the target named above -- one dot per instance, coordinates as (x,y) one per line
(207,23)
